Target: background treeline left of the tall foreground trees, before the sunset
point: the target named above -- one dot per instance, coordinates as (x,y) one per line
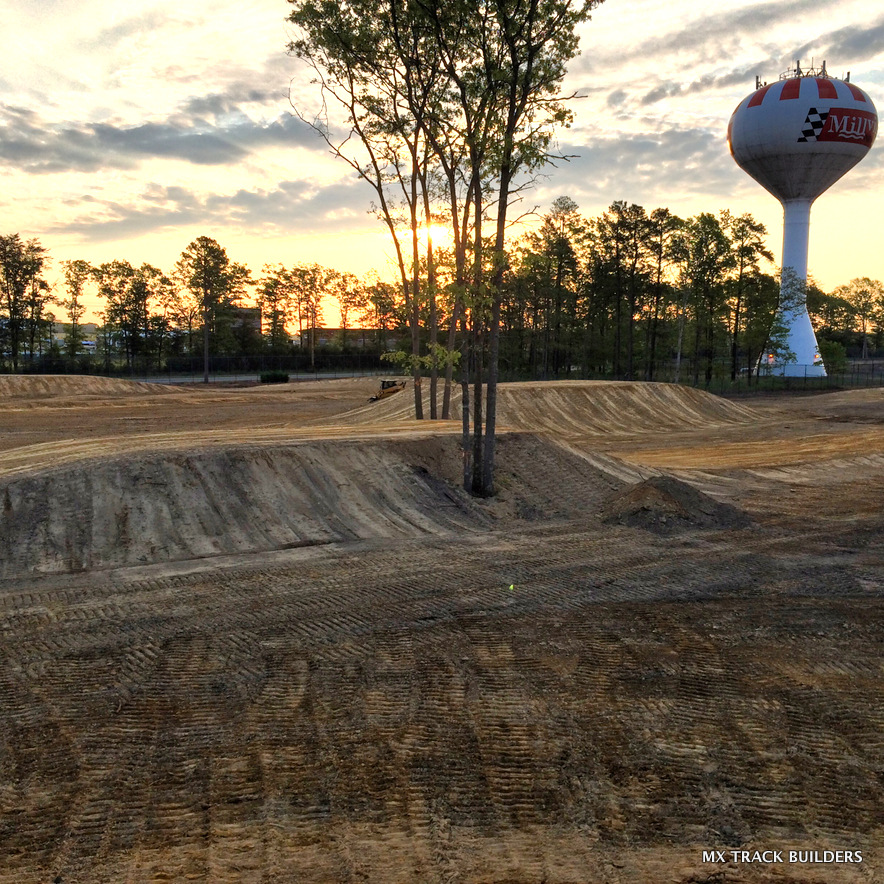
(206,305)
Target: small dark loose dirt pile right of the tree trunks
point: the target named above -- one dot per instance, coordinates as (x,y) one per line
(664,504)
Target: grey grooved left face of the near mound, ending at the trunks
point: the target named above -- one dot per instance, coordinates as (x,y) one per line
(182,505)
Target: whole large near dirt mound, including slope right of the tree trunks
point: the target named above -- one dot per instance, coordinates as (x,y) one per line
(175,505)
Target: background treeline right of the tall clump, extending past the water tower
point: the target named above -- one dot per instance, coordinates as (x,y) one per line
(633,294)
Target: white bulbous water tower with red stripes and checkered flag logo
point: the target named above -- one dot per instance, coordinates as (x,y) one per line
(796,137)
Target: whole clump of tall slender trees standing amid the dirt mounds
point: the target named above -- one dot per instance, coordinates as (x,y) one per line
(472,87)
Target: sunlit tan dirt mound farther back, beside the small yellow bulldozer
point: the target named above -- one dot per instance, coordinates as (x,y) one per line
(579,408)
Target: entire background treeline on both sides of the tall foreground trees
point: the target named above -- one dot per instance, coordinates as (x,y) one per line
(629,294)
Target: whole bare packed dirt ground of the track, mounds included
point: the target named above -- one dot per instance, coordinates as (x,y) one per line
(257,634)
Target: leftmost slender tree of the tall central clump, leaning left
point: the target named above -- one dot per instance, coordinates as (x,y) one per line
(364,55)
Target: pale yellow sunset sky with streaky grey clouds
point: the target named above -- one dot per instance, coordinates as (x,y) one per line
(127,130)
